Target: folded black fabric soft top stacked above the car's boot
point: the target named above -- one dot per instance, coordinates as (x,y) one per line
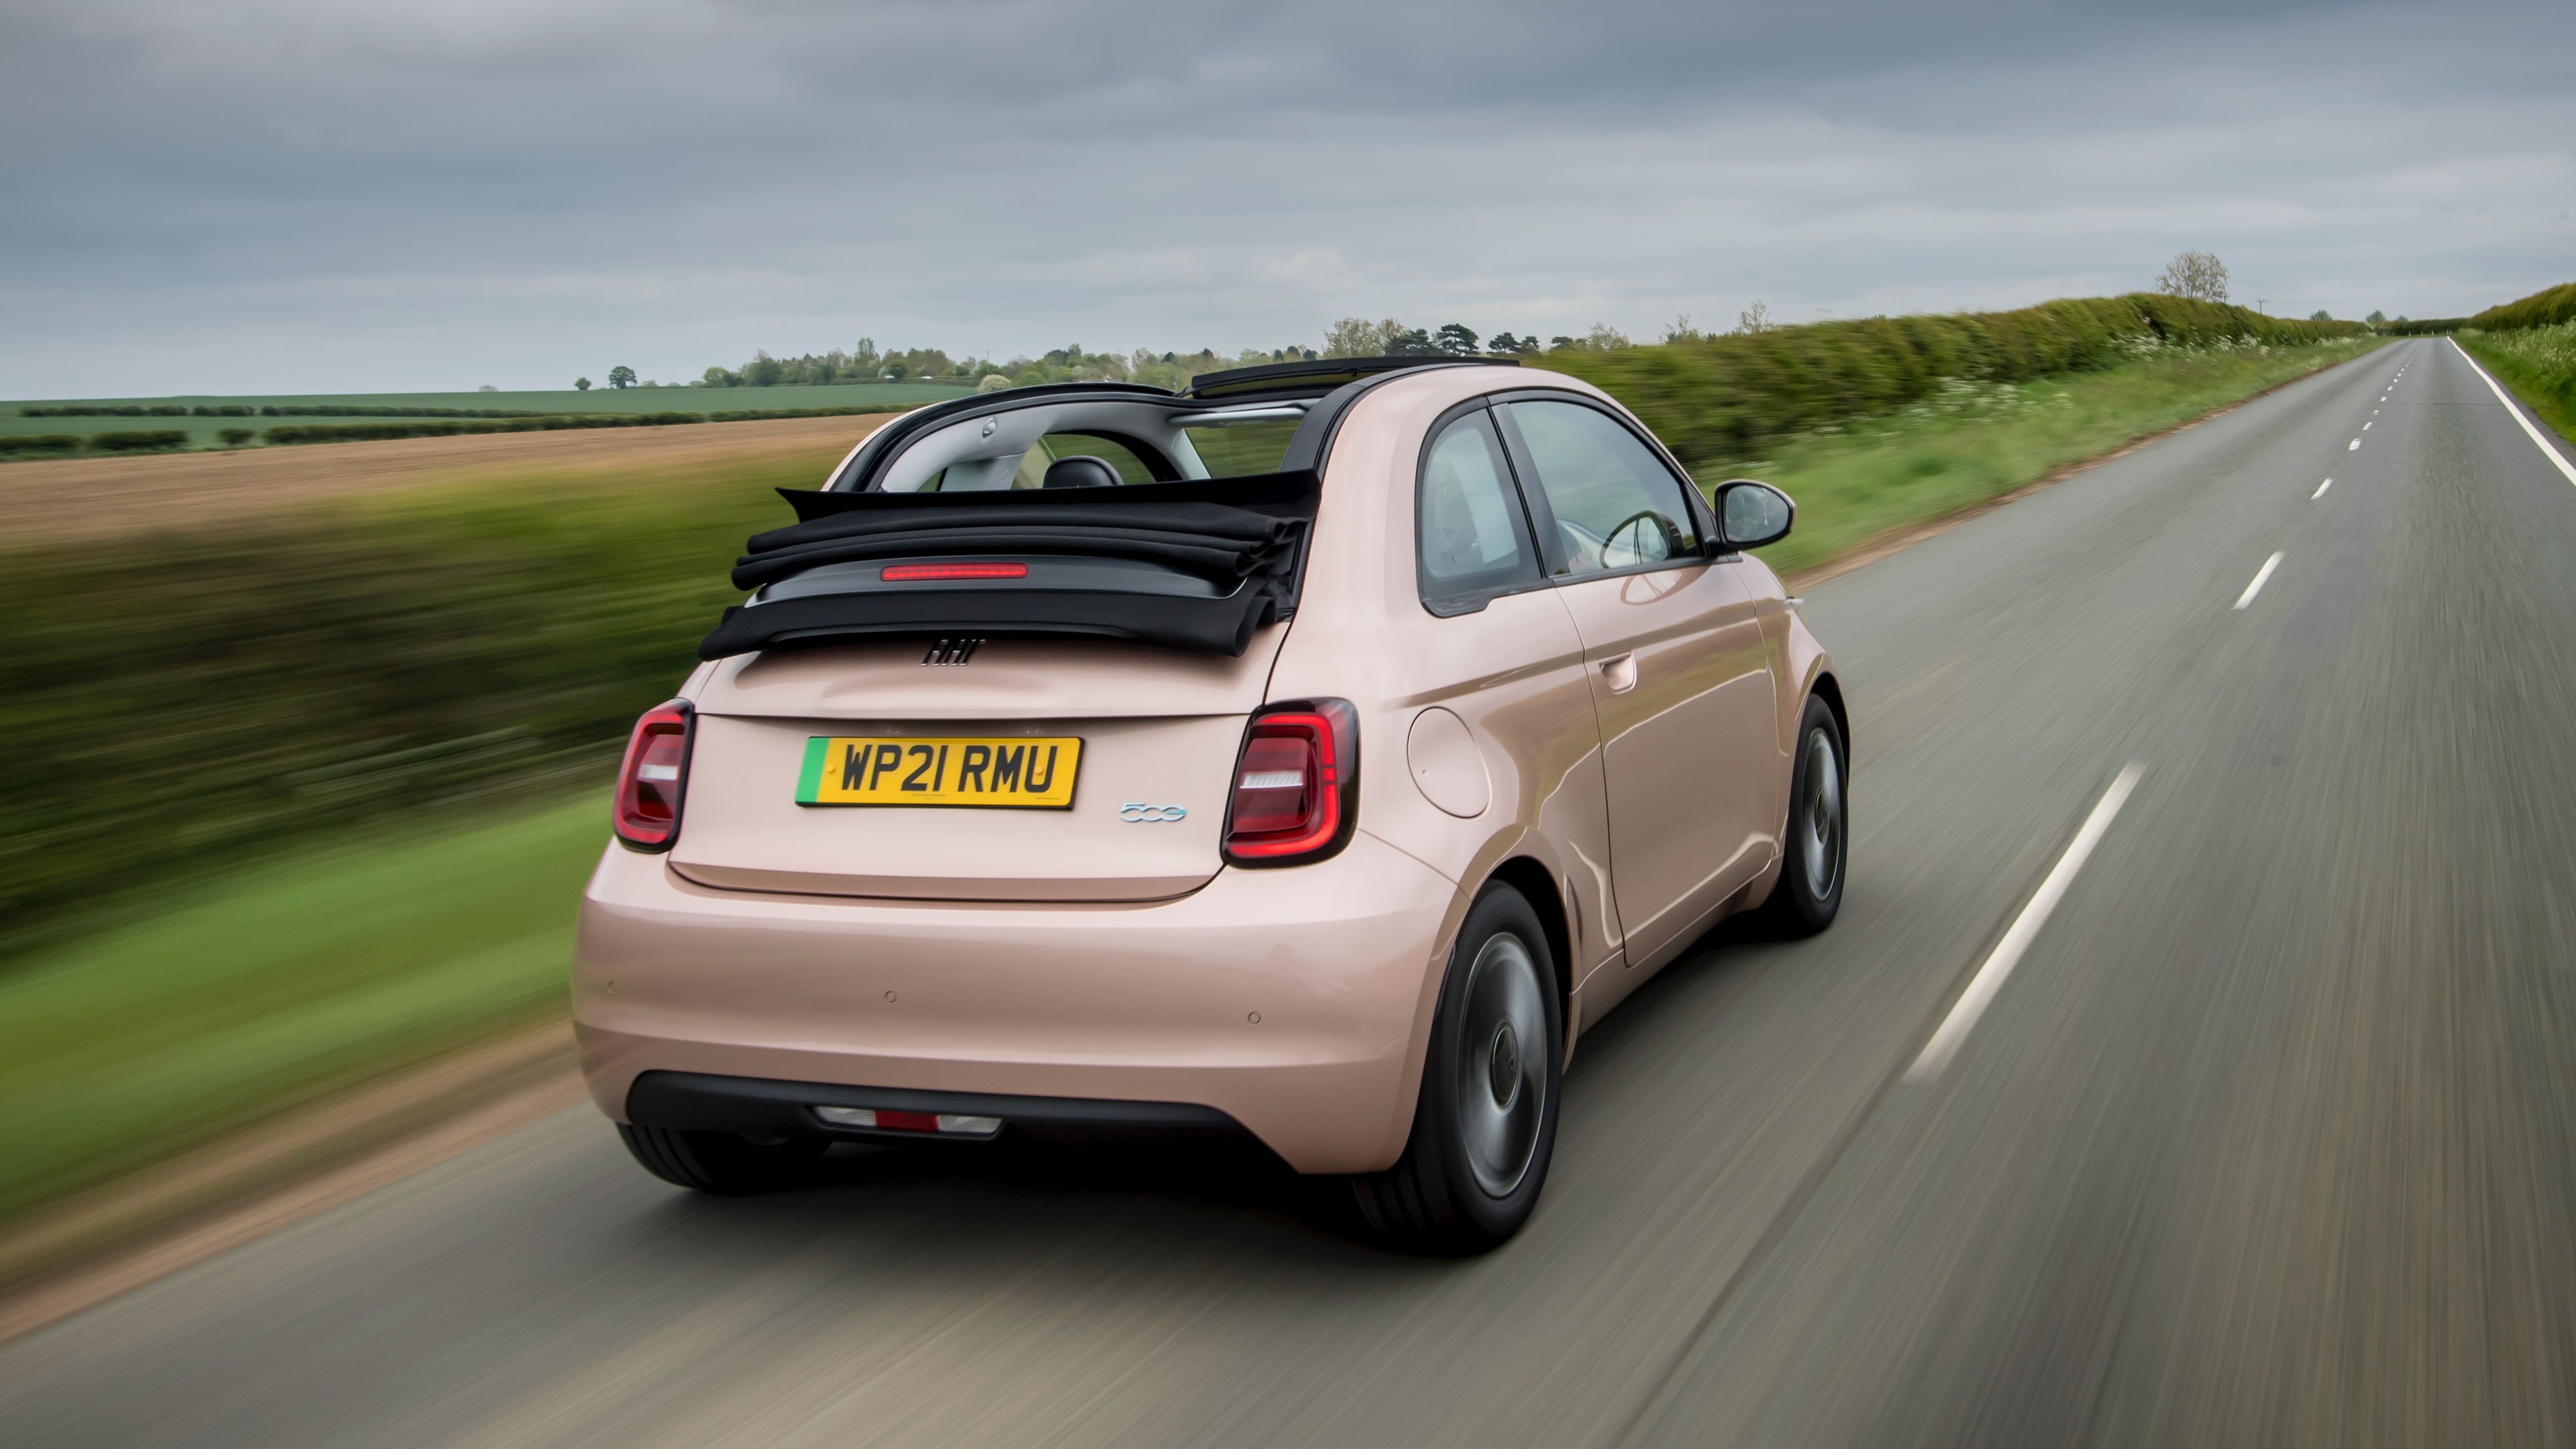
(1243,535)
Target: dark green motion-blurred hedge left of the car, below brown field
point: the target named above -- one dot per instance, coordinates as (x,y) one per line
(179,700)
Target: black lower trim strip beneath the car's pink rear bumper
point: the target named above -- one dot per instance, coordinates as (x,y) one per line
(761,1107)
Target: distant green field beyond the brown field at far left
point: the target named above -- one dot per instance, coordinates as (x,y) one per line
(202,432)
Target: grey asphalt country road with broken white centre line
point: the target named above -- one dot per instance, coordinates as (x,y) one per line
(2268,1138)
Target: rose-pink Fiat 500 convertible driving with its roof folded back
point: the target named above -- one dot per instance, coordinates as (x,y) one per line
(1310,757)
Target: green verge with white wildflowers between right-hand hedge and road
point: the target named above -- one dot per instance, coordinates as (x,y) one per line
(1975,442)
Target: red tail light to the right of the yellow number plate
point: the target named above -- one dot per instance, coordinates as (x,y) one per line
(1297,785)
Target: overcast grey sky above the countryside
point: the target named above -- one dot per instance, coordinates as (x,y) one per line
(370,197)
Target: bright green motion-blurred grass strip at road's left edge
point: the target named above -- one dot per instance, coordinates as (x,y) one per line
(277,986)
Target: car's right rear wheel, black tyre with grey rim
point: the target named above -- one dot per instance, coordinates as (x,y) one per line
(1485,1123)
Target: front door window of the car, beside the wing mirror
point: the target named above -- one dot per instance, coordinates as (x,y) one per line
(1616,504)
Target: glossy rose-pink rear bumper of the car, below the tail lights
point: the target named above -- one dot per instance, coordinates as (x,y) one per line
(1284,1002)
